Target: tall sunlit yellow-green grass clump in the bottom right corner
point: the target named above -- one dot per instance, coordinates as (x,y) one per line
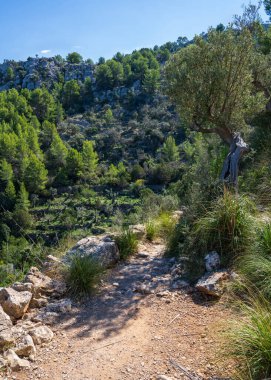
(250,340)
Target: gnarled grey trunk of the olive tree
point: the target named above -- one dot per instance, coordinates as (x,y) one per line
(230,169)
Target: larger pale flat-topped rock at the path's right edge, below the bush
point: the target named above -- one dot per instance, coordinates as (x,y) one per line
(213,284)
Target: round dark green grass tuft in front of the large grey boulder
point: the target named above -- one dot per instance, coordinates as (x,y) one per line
(83,275)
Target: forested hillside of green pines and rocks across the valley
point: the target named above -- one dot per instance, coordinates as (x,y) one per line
(74,152)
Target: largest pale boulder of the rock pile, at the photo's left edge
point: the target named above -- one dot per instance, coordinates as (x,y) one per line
(14,303)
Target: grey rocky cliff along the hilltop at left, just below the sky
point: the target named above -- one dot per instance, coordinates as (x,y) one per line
(35,72)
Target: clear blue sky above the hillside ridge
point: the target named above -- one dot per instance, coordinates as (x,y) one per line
(97,28)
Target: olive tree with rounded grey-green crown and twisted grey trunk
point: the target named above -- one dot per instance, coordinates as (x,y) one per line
(212,82)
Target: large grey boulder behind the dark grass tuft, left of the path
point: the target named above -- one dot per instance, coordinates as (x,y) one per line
(103,249)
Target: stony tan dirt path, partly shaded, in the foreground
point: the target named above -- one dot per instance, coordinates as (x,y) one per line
(121,334)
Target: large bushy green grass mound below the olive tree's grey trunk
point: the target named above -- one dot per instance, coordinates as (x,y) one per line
(227,228)
